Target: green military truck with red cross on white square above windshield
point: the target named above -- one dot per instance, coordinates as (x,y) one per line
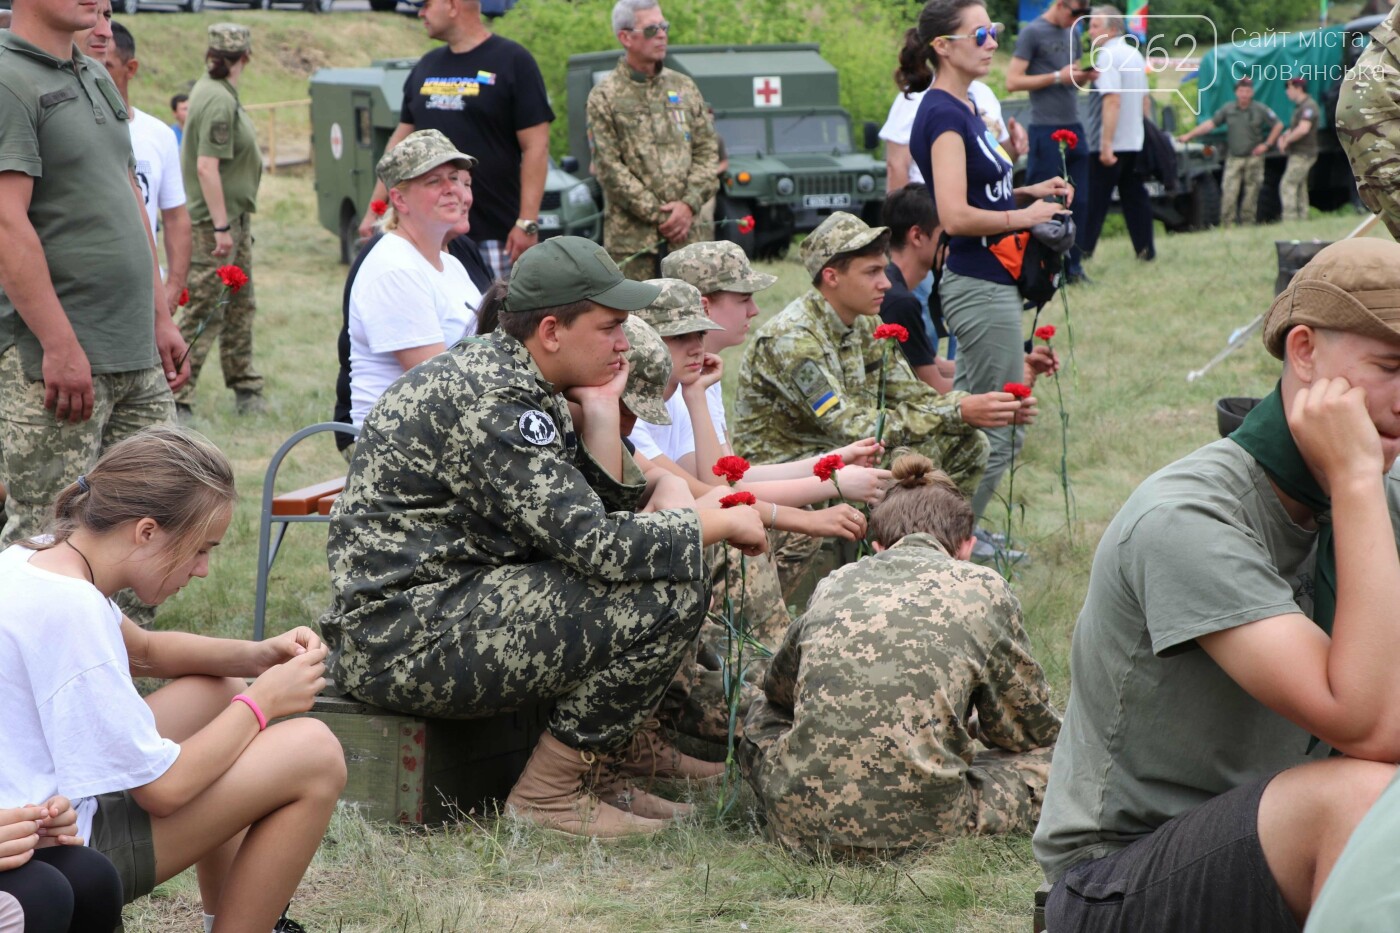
(789,141)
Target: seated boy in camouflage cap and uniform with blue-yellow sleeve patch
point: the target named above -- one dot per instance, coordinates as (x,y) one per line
(810,379)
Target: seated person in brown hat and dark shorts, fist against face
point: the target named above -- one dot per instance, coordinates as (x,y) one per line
(1240,621)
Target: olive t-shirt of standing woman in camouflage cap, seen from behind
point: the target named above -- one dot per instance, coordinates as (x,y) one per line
(219,127)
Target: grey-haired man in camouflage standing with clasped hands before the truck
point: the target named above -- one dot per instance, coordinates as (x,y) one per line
(653,145)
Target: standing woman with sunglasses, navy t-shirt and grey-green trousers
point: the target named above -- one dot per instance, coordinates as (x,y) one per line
(972,186)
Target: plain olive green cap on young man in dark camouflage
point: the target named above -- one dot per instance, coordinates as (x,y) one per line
(568,270)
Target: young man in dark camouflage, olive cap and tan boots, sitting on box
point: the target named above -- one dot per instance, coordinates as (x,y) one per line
(482,558)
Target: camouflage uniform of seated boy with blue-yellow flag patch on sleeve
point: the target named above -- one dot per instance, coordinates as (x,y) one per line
(810,385)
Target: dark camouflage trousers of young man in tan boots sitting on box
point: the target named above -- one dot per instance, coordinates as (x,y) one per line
(605,652)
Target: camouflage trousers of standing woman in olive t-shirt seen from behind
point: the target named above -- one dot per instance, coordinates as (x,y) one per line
(206,320)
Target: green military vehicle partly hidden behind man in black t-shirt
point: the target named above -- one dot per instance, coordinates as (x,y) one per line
(353,114)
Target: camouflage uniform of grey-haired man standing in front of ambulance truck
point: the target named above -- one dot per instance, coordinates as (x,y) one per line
(652,144)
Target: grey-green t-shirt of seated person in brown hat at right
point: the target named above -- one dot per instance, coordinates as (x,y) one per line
(1154,726)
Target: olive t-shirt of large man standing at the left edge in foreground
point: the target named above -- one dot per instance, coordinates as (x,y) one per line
(64,124)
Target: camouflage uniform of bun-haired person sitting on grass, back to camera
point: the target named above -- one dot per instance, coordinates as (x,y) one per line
(862,742)
